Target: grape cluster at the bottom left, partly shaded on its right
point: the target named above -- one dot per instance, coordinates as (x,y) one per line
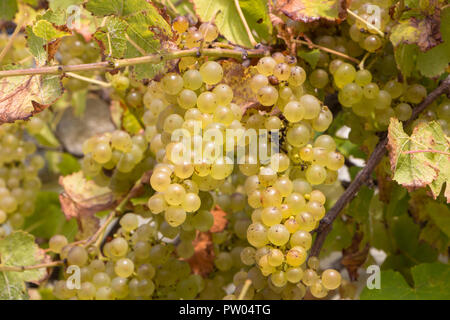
(133,265)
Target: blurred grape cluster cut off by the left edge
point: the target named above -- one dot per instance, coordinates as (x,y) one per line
(19,181)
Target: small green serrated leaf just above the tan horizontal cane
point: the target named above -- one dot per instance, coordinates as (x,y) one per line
(113,36)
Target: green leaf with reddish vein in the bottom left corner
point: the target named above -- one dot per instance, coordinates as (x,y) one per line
(16,250)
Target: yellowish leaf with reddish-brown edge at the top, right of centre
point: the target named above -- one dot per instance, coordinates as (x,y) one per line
(309,11)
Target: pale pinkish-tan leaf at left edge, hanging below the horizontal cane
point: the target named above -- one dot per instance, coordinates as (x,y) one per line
(23,96)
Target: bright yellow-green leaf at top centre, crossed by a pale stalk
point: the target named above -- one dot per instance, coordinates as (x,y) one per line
(230,24)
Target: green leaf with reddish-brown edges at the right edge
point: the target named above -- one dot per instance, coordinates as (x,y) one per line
(422,168)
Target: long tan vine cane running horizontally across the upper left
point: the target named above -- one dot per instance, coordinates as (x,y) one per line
(152,58)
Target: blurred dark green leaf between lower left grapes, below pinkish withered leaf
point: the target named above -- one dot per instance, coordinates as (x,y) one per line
(48,219)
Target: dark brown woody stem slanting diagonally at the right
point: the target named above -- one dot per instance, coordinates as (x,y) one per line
(363,176)
